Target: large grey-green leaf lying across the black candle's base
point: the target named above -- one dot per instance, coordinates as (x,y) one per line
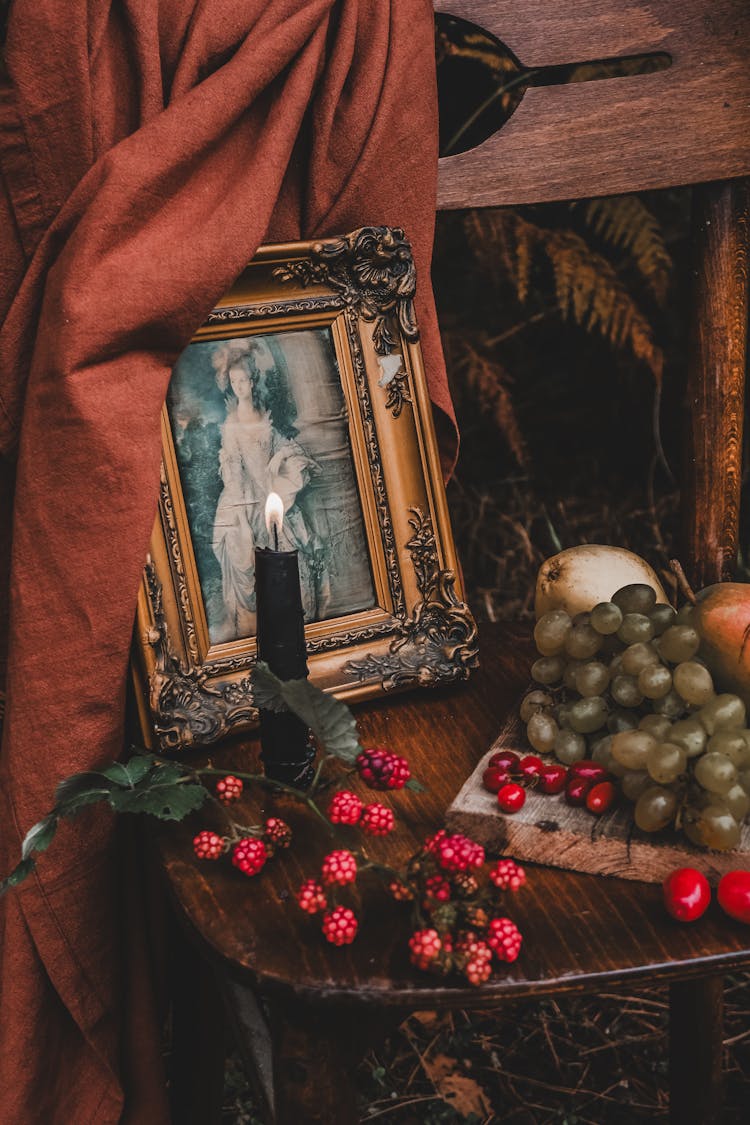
(331,721)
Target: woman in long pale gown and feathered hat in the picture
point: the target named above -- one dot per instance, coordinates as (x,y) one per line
(259,455)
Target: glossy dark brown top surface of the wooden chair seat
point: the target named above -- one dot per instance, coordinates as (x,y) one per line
(581,932)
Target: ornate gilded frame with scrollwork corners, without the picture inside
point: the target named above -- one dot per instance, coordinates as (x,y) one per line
(420,632)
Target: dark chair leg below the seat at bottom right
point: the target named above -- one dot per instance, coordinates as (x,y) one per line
(697,1025)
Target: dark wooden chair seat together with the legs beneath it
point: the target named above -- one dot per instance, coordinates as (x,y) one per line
(581,932)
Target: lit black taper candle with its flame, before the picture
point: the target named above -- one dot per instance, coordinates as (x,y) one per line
(287,751)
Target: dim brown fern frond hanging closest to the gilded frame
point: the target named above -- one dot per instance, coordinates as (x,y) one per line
(489,383)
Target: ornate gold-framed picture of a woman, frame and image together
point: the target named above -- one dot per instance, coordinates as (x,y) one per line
(308,376)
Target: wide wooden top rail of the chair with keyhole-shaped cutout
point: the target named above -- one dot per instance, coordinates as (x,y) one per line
(688,124)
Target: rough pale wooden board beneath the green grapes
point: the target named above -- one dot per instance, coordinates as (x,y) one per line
(548,831)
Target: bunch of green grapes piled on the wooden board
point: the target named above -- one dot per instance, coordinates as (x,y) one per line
(625,686)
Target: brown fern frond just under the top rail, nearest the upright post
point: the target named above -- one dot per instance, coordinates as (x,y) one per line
(626,222)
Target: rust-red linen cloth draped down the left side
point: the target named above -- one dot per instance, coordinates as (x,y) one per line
(146,151)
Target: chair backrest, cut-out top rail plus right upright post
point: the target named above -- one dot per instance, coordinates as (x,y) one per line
(686,124)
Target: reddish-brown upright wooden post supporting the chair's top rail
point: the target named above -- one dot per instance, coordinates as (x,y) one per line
(716,381)
